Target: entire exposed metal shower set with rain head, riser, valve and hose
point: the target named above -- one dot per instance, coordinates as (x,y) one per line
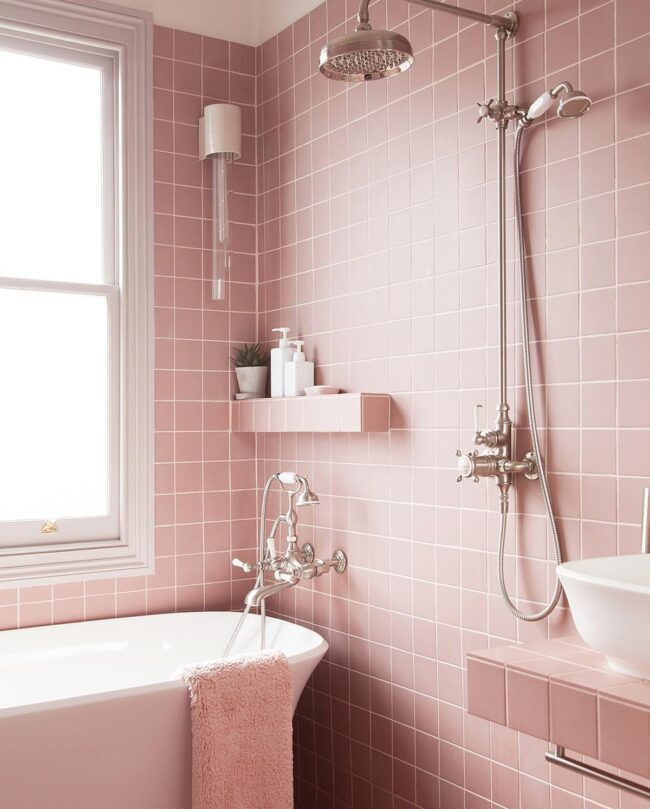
(365,55)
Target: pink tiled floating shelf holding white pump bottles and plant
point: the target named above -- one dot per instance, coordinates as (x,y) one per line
(343,413)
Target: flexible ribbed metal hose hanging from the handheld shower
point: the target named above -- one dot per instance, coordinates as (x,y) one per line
(532,418)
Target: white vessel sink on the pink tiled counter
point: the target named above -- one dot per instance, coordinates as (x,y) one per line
(610,602)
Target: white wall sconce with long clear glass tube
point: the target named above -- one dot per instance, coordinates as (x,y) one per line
(220,141)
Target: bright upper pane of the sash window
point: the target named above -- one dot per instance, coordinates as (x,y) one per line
(50,169)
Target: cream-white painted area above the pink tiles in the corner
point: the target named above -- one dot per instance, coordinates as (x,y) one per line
(250,22)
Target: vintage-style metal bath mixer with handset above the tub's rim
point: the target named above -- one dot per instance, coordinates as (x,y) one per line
(297,563)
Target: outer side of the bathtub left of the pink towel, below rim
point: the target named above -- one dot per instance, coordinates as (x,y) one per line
(130,752)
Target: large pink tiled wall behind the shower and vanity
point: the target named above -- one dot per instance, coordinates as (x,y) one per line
(377,244)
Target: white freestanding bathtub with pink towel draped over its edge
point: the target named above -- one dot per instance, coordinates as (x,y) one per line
(94,716)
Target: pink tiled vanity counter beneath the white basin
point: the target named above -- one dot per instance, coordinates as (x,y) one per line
(565,693)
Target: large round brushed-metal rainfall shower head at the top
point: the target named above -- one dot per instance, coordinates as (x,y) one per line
(365,54)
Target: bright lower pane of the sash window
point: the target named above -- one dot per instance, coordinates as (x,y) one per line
(54,405)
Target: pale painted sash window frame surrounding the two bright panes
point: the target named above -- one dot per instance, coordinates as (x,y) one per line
(119,42)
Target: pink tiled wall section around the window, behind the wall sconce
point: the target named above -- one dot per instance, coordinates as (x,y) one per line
(205,503)
